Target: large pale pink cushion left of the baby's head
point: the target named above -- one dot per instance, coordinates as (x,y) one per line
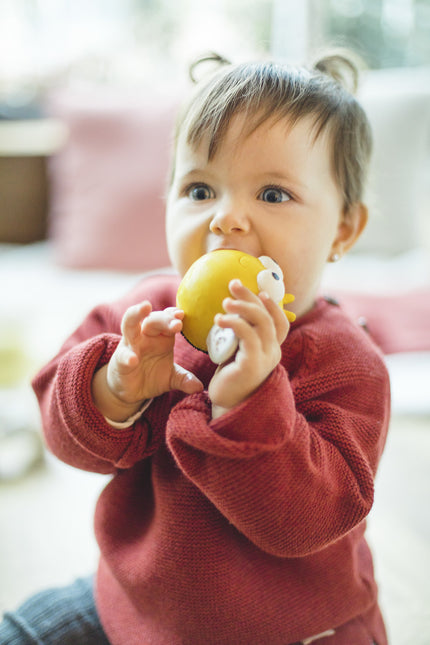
(108,182)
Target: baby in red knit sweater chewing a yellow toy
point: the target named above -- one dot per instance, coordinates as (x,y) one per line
(236,511)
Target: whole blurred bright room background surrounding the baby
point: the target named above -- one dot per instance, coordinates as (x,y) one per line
(88,97)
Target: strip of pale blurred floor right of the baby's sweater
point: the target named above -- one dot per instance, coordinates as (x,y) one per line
(399,531)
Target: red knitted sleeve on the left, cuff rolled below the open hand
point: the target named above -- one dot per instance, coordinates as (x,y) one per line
(74,429)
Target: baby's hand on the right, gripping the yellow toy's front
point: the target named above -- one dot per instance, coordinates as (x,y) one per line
(261,327)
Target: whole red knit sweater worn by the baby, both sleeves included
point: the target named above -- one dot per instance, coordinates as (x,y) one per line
(245,530)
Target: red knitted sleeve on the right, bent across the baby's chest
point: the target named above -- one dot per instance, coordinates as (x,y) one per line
(292,467)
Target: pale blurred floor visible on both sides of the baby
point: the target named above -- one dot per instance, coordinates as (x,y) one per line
(46,530)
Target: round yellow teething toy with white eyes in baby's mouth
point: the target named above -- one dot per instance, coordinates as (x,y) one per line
(204,287)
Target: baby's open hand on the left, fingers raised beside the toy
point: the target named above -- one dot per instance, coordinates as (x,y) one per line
(142,365)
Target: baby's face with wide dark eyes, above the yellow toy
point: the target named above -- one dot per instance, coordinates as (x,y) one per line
(270,192)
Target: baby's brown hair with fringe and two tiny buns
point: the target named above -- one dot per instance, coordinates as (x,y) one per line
(267,90)
